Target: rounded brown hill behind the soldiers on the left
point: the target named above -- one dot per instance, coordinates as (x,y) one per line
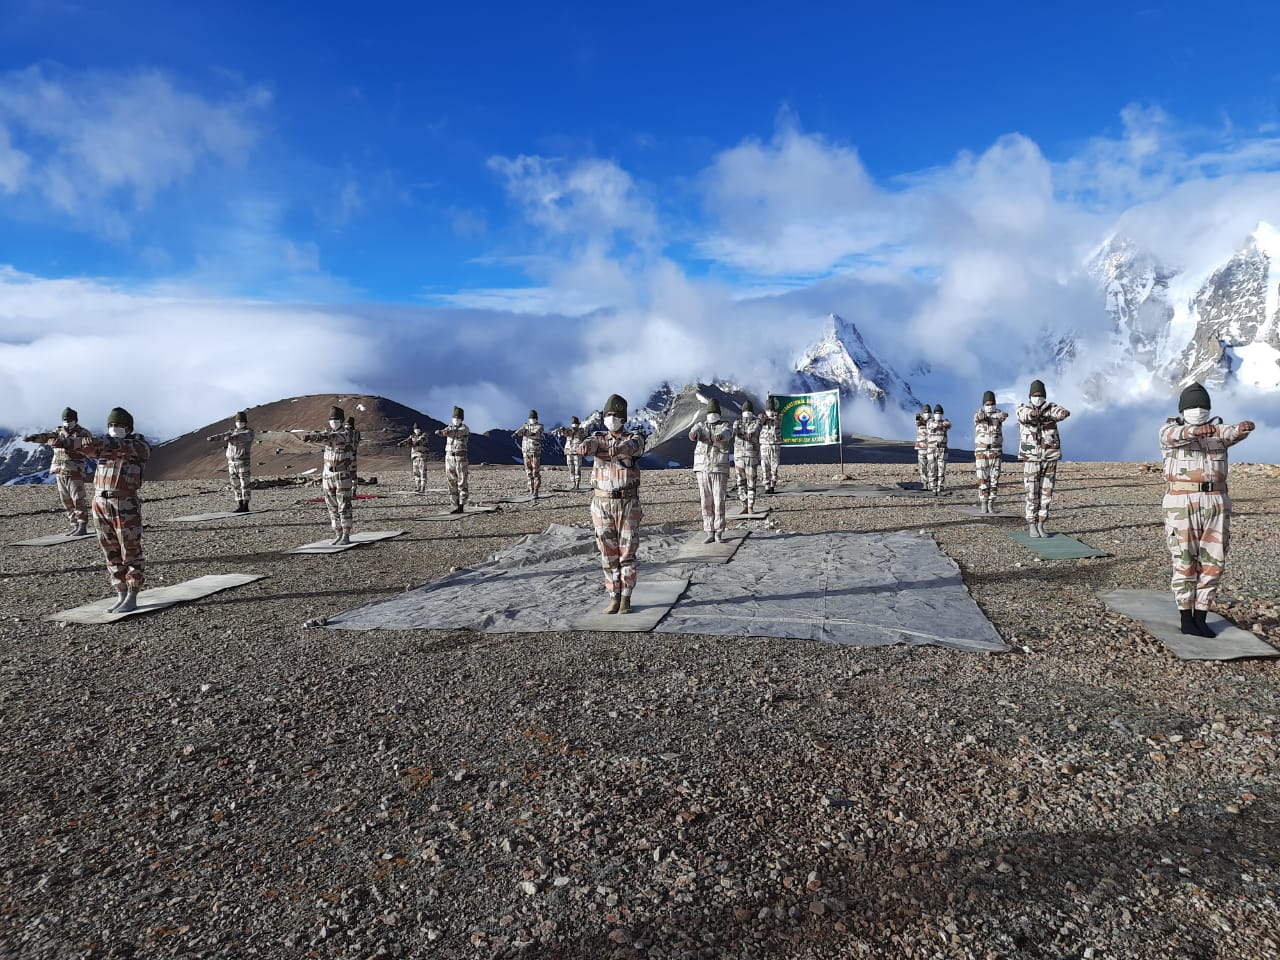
(278,452)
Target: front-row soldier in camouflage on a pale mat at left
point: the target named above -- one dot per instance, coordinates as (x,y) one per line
(122,458)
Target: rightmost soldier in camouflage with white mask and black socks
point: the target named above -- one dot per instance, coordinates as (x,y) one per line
(1197,506)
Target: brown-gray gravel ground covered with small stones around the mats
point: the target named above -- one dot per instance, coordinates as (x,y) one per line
(217,780)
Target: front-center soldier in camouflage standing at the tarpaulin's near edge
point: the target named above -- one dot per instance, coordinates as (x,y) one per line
(616,511)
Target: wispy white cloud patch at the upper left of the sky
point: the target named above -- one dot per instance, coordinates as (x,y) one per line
(103,144)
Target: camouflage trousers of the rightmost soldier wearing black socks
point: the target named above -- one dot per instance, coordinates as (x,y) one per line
(1199,532)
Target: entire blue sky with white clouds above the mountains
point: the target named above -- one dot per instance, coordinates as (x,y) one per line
(610,189)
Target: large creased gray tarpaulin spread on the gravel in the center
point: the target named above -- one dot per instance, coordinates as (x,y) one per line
(857,589)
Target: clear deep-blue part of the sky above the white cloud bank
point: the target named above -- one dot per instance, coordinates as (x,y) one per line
(371,132)
